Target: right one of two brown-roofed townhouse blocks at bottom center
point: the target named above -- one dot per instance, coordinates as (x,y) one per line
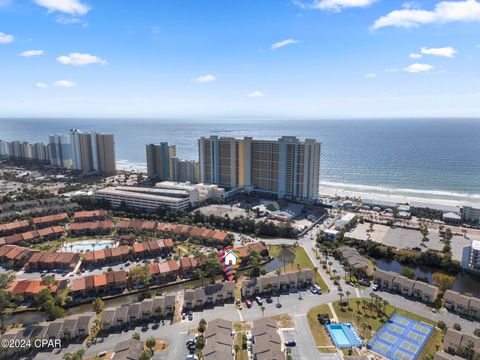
(267,344)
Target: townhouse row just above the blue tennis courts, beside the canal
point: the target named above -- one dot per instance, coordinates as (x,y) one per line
(399,284)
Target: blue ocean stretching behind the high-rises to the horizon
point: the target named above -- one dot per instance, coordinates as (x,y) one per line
(431,158)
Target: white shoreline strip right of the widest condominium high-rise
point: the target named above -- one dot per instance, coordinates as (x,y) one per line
(399,191)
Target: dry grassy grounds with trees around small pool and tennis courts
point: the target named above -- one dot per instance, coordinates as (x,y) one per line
(367,316)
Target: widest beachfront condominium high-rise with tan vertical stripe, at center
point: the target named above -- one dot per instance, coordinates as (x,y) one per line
(286,168)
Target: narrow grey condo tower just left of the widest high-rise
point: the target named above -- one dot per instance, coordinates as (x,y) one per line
(159,157)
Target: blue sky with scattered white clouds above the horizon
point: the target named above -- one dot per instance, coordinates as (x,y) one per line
(239,59)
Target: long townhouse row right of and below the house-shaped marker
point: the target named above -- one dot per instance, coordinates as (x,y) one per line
(288,281)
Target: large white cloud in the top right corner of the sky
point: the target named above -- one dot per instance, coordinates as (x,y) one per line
(444,12)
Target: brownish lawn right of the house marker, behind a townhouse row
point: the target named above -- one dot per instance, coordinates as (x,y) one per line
(297,258)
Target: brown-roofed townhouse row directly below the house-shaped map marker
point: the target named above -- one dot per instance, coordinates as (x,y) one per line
(209,295)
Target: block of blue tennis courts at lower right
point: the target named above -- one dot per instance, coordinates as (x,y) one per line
(401,338)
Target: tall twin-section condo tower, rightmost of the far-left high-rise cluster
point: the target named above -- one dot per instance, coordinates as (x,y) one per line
(92,151)
